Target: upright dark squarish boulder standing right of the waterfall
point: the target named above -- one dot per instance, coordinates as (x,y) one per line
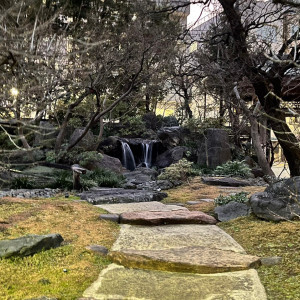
(213,148)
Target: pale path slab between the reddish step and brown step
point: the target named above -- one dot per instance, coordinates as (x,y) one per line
(174,236)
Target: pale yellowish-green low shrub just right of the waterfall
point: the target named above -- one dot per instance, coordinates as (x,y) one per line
(177,171)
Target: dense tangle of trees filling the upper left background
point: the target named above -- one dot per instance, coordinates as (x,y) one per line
(63,55)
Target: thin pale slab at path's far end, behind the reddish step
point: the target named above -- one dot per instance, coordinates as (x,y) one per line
(139,206)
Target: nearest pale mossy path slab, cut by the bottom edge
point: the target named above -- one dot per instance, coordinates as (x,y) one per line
(117,282)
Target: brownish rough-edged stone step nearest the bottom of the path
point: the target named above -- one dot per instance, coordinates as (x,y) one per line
(188,259)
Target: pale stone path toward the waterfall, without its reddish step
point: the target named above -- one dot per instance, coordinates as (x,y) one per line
(175,262)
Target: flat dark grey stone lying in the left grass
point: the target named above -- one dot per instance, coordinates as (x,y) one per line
(29,245)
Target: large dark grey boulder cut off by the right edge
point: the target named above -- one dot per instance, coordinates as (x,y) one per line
(279,201)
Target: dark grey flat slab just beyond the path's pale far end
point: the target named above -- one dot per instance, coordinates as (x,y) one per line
(119,195)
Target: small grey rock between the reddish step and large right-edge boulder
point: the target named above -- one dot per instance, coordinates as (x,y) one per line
(231,211)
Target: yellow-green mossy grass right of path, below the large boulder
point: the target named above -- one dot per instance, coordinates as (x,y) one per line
(265,239)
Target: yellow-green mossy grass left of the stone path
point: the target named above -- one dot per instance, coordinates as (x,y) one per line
(64,272)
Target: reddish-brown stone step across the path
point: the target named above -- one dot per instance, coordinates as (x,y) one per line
(166,217)
